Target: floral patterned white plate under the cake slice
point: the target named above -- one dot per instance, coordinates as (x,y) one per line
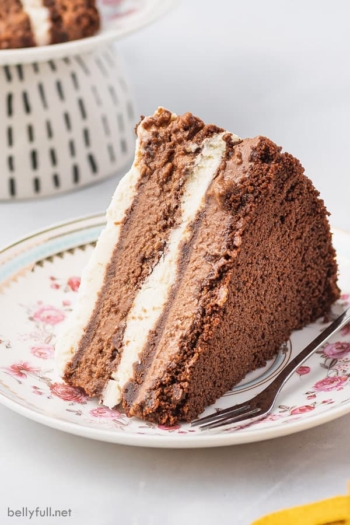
(39,278)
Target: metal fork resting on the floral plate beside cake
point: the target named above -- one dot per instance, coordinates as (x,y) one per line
(260,405)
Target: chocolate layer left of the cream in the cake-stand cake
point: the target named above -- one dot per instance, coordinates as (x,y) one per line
(15,28)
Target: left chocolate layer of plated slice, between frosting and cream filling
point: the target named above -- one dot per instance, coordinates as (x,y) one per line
(164,169)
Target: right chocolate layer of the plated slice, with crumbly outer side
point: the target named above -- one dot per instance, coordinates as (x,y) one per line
(261,264)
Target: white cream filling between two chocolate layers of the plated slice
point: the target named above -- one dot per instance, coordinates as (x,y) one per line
(154,293)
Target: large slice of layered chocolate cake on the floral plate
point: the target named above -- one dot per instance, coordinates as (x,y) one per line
(215,249)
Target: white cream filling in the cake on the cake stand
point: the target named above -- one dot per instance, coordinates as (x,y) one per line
(40,20)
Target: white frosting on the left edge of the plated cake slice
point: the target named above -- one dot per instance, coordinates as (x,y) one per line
(94,273)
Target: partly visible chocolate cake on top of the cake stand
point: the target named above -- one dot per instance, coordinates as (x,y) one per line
(27,23)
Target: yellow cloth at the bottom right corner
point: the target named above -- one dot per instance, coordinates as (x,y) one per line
(333,511)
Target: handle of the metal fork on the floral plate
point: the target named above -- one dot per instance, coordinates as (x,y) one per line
(286,373)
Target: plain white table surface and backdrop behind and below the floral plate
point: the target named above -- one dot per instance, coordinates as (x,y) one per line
(276,68)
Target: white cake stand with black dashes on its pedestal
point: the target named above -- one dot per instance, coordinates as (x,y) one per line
(66,111)
